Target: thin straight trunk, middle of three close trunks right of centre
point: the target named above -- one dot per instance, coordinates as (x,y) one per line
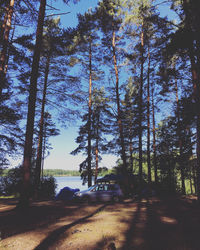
(148,119)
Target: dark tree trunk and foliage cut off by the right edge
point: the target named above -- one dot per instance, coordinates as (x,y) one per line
(187,39)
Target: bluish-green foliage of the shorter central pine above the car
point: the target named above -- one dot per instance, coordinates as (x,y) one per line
(99,128)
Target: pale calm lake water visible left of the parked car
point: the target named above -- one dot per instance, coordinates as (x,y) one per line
(69,181)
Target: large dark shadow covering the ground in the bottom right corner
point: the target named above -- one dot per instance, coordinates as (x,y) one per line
(168,223)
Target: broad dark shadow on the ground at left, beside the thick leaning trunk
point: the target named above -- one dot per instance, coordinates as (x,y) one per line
(40,215)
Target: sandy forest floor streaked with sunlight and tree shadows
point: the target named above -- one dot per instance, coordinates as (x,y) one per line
(171,223)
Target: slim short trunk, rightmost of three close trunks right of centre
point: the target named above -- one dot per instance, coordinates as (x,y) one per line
(154,137)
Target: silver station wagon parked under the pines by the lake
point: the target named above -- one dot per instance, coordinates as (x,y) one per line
(100,192)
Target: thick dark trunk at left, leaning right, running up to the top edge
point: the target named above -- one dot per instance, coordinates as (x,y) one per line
(25,192)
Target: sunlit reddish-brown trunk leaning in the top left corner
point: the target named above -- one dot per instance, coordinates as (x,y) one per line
(5,41)
